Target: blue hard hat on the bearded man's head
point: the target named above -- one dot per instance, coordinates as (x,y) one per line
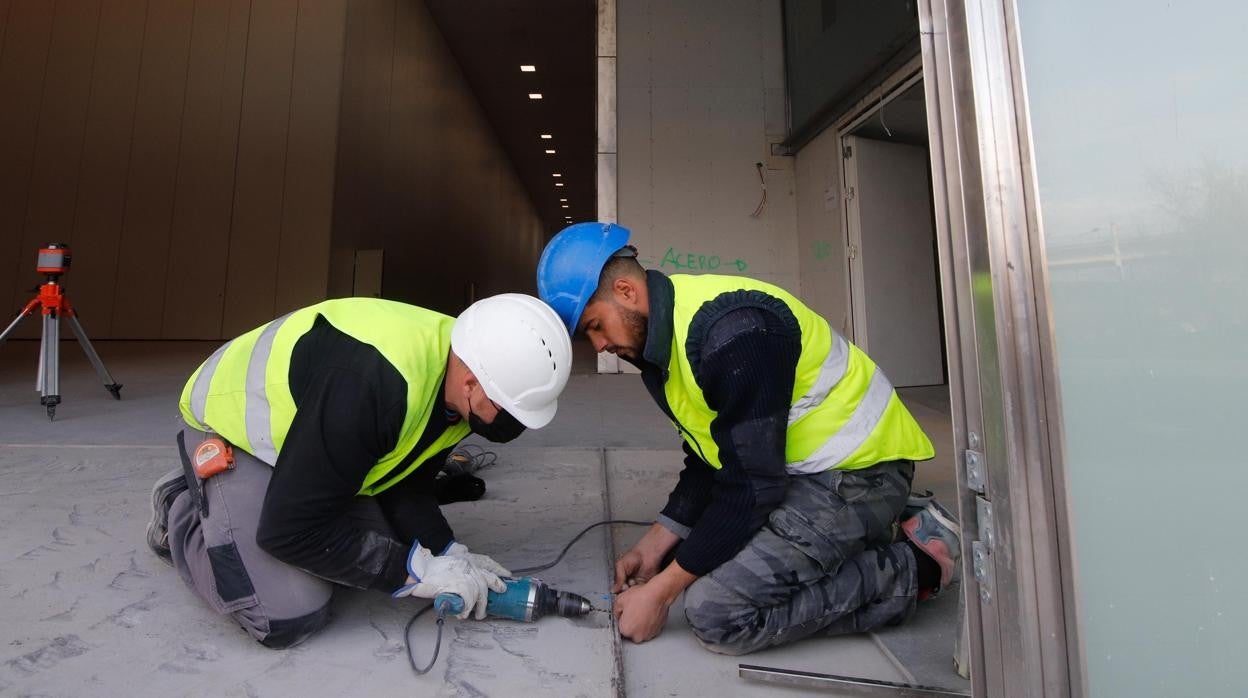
(571,265)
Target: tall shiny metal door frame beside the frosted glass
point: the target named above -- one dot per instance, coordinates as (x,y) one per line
(1019,575)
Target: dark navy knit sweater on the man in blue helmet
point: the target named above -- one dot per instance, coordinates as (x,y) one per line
(744,349)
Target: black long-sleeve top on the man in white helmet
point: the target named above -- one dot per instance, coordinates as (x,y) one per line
(350,409)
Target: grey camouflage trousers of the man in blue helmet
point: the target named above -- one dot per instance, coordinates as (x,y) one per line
(824,563)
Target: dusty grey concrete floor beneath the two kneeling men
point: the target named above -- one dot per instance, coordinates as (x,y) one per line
(89,611)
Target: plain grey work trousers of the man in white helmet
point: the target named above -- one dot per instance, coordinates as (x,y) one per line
(218,556)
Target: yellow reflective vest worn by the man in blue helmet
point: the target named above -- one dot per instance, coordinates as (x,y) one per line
(844,413)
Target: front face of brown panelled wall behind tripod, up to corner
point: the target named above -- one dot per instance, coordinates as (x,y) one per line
(185,148)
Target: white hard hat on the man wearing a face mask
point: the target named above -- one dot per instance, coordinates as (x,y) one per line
(520,351)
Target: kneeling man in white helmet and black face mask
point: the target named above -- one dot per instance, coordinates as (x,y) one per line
(311,445)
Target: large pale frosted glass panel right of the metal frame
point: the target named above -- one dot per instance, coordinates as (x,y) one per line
(1139,113)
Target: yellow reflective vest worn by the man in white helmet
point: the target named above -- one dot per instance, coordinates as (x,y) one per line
(243,390)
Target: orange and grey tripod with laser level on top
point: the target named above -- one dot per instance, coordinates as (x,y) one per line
(53,263)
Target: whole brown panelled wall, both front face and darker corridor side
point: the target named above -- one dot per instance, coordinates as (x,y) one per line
(218,163)
